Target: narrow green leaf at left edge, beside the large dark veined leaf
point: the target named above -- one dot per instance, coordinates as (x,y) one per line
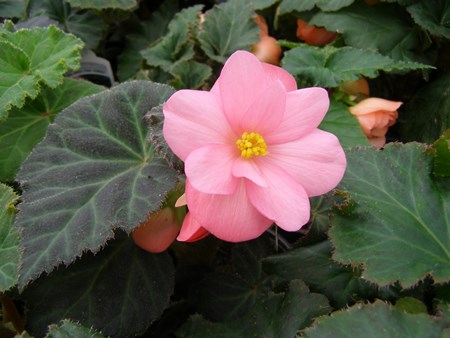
(9,238)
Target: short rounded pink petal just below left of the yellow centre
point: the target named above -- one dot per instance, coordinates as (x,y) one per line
(209,169)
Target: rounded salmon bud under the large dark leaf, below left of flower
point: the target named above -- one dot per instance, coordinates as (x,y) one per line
(158,232)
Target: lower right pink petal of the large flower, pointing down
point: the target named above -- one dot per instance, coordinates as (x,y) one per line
(284,201)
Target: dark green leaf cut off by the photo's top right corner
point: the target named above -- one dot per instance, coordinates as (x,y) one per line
(433,16)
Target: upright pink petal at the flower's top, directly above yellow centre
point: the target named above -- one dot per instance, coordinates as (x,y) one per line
(240,83)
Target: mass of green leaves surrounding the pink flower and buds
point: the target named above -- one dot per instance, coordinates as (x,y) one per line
(82,165)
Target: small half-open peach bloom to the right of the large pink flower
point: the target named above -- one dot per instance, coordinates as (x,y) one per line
(375,116)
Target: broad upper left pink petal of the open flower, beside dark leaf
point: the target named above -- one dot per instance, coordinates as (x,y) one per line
(192,119)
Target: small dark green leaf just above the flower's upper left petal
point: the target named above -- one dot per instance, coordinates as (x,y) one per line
(190,74)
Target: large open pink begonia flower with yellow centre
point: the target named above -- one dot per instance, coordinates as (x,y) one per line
(252,151)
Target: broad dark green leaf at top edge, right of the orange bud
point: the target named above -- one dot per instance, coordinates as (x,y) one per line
(385,27)
